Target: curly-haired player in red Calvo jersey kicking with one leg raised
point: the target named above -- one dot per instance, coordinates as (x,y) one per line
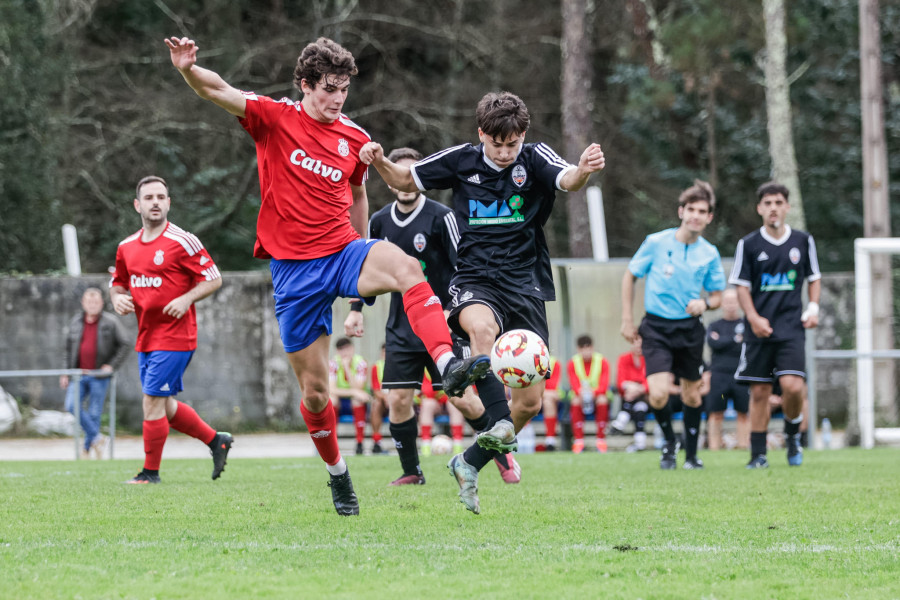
(313,213)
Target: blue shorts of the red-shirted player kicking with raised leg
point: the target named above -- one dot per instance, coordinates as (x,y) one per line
(306,289)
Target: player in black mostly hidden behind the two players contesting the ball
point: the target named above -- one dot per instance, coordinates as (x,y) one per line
(426,230)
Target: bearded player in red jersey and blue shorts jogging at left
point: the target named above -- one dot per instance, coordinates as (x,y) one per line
(161,271)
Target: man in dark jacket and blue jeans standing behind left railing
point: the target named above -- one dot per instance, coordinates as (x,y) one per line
(95,341)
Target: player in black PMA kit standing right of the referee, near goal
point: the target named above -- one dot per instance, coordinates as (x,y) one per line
(769,268)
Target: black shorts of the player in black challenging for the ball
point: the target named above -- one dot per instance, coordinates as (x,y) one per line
(511,311)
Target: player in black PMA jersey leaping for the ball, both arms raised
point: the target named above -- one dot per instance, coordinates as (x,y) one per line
(503,192)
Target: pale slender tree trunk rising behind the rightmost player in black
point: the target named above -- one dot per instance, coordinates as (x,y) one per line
(778,107)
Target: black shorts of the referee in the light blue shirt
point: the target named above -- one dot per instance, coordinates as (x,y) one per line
(673,346)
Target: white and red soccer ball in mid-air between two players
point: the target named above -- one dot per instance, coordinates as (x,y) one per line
(519,358)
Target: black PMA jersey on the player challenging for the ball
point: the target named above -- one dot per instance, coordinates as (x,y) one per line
(501,214)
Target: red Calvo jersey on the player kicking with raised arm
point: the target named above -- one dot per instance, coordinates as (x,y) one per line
(305,167)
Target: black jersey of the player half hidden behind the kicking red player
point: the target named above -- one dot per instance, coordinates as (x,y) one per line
(429,234)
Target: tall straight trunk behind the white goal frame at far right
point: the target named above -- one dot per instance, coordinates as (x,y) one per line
(876,203)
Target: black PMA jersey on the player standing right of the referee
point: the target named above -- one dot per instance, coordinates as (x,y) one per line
(774,270)
